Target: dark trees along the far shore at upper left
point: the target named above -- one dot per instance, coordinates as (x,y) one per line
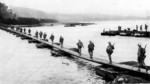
(7,17)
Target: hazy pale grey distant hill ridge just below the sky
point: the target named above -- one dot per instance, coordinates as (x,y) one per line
(27,12)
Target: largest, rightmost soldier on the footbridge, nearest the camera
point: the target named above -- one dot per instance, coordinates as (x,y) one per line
(141,57)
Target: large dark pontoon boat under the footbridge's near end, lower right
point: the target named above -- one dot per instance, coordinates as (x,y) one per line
(109,73)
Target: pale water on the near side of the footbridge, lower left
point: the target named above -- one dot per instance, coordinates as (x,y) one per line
(23,63)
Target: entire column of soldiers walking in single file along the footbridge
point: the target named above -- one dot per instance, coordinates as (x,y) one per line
(109,50)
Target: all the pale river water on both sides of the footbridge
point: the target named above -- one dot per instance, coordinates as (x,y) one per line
(23,63)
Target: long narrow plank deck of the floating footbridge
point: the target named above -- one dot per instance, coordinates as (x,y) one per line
(85,57)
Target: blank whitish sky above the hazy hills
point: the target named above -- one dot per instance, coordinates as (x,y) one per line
(105,7)
